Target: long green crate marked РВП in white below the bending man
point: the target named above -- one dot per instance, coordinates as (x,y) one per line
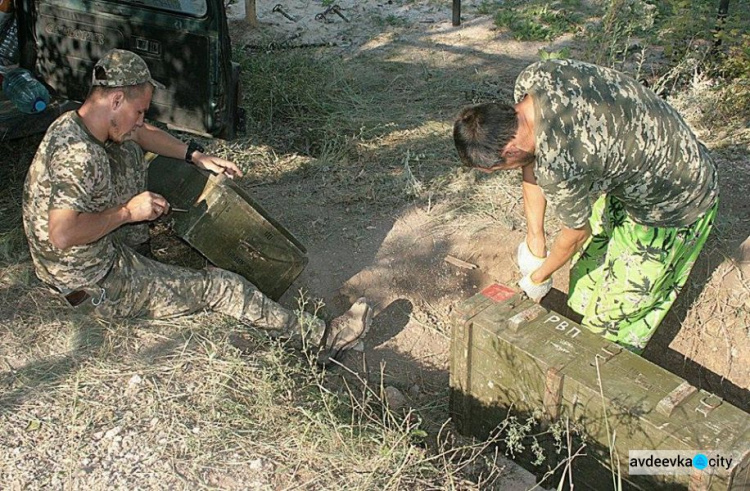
(510,356)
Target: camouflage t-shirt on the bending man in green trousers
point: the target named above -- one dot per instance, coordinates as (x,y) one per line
(599,131)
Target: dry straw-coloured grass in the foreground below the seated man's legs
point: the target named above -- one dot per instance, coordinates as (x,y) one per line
(199,401)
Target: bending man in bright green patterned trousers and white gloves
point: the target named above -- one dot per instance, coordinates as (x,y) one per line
(636,192)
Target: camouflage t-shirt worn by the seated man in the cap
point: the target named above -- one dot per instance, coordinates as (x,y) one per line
(72,170)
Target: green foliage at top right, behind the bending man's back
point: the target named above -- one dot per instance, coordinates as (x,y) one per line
(684,36)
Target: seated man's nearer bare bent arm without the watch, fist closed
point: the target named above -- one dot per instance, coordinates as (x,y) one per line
(68,228)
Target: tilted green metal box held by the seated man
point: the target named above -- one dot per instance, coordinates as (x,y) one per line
(225,225)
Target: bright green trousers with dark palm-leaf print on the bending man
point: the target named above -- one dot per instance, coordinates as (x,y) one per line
(627,276)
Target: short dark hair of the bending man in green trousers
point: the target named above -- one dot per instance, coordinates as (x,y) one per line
(481,131)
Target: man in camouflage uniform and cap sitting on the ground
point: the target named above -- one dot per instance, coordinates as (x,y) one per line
(86,209)
